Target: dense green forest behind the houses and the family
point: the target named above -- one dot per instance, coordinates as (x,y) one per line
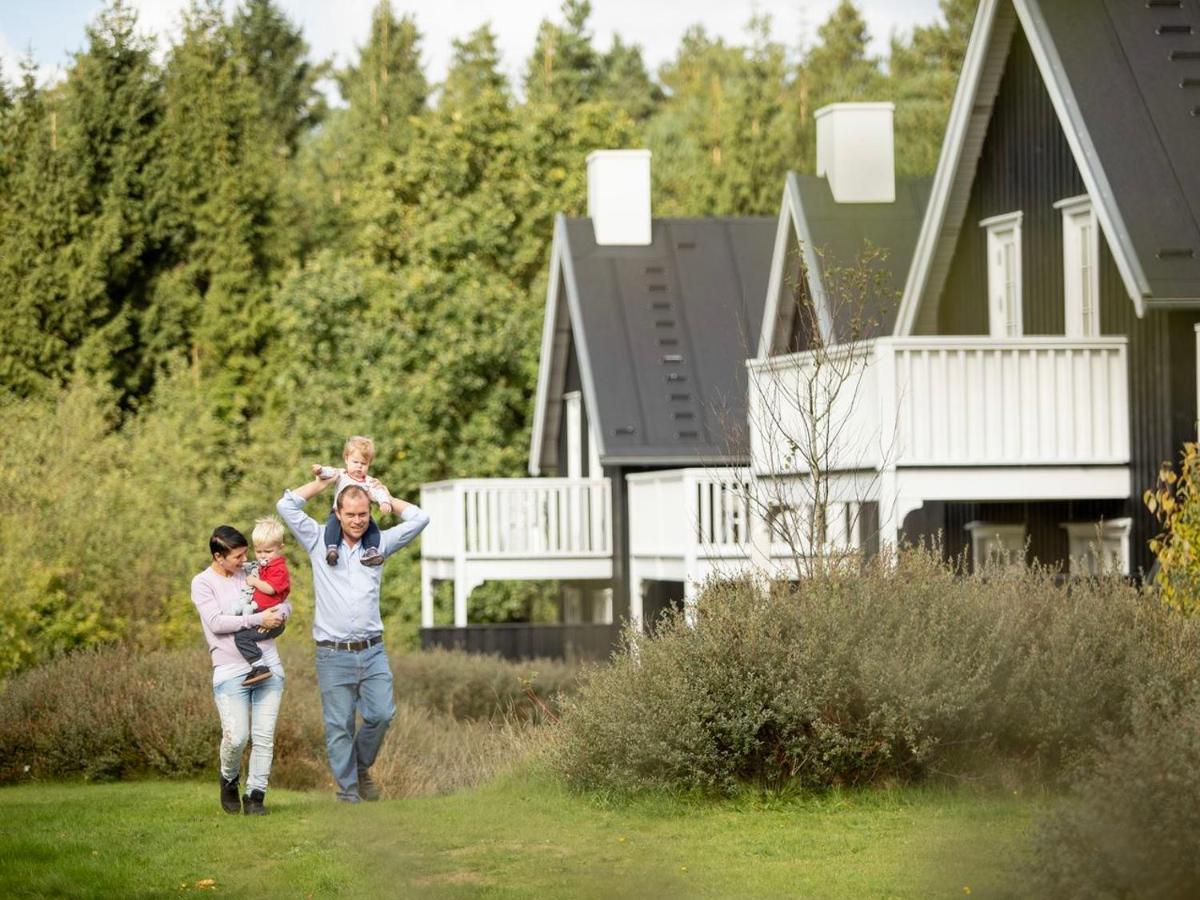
(211,275)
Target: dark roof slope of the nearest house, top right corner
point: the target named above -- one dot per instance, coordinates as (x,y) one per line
(1135,71)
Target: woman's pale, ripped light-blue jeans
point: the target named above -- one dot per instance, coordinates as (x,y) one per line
(249,713)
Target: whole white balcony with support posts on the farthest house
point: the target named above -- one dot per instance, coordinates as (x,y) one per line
(509,530)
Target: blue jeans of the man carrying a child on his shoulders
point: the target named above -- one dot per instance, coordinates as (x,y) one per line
(355,682)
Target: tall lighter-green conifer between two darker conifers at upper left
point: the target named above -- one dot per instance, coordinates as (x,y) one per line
(213,305)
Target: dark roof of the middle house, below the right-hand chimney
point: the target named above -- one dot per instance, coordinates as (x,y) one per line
(842,233)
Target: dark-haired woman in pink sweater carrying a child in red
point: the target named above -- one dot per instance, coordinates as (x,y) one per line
(247,712)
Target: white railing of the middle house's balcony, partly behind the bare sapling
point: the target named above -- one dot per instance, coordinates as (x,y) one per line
(689,513)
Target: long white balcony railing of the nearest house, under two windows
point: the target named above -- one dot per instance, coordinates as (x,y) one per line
(944,403)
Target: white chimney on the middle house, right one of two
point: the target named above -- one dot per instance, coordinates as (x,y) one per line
(856,152)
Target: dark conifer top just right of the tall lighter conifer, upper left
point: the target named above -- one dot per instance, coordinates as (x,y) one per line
(277,58)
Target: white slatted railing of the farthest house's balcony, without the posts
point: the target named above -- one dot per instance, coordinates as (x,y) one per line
(518,518)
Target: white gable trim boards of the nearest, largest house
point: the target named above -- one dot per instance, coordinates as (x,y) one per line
(953,178)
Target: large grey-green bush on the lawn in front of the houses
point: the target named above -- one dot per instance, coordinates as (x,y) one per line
(895,673)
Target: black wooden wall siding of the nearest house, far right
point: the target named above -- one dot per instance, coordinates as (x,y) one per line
(1027,165)
